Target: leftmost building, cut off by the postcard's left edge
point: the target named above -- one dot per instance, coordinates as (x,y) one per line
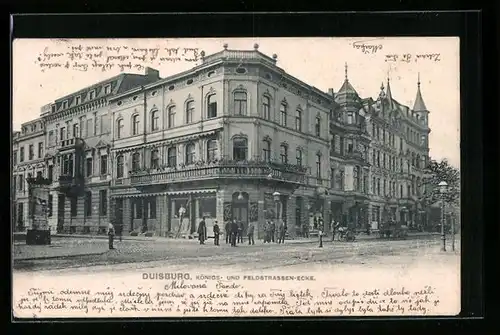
(28,162)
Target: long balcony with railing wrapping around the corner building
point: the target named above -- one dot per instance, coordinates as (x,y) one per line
(214,170)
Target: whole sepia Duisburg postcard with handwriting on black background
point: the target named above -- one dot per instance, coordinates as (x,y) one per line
(249,177)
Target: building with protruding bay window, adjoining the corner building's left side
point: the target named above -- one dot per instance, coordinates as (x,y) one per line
(78,128)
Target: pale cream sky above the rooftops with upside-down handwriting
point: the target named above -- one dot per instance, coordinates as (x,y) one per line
(319,62)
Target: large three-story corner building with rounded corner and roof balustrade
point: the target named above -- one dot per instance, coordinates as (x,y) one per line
(218,141)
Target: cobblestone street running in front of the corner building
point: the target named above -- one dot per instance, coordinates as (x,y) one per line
(189,254)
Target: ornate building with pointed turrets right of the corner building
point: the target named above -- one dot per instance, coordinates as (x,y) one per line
(389,150)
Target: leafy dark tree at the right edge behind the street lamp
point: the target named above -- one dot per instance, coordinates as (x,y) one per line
(436,172)
